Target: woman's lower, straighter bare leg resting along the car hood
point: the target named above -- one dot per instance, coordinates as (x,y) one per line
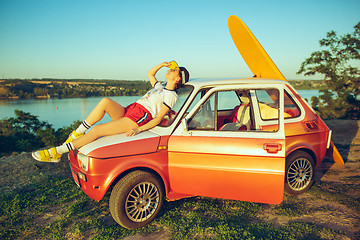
(121,125)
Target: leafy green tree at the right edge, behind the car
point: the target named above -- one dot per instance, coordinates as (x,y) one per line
(336,62)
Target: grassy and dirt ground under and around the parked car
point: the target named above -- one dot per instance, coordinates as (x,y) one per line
(40,201)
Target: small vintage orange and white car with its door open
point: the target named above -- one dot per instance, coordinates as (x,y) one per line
(243,139)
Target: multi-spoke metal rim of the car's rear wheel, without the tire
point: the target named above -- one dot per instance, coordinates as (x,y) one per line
(299,174)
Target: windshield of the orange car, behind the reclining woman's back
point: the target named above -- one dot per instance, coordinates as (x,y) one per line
(183,94)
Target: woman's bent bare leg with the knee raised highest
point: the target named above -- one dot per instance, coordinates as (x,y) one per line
(106,105)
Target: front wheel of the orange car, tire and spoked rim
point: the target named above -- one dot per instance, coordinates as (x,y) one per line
(136,199)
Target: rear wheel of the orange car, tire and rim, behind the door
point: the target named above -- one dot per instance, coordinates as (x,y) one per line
(299,173)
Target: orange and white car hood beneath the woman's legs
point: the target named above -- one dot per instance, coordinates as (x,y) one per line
(120,145)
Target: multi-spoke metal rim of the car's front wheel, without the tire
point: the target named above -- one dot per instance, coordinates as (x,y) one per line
(142,201)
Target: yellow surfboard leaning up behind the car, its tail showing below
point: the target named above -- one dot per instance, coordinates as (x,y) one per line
(261,64)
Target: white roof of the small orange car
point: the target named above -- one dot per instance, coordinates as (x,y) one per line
(198,82)
